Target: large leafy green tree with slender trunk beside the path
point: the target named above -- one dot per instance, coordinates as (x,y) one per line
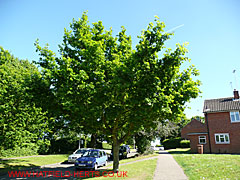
(102,83)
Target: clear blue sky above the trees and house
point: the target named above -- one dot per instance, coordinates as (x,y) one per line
(211,27)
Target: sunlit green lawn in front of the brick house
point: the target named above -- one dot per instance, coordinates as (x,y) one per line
(208,166)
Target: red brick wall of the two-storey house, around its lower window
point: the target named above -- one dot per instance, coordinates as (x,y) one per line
(221,123)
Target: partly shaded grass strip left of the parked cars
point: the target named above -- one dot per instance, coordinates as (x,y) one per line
(18,164)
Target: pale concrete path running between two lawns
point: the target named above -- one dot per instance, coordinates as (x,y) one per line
(167,168)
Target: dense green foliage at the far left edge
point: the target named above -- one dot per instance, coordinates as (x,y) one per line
(22,123)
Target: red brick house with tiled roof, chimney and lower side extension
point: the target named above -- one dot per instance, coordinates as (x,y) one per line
(222,125)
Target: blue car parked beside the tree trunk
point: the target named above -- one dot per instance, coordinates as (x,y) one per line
(91,160)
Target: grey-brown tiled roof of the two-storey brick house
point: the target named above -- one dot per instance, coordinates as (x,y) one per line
(222,104)
